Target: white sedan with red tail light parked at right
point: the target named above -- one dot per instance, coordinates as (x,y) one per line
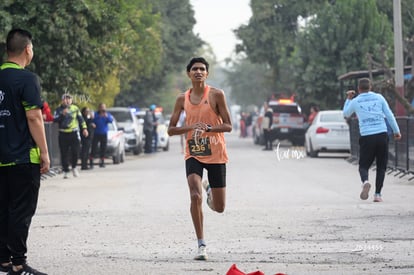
(329,132)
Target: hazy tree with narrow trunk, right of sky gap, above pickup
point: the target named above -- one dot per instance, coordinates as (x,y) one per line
(270,36)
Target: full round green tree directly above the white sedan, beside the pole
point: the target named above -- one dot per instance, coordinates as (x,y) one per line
(331,45)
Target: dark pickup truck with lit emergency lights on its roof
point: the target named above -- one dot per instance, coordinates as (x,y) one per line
(288,122)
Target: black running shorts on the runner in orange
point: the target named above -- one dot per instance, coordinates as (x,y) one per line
(216,172)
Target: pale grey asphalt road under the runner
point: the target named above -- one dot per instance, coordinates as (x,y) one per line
(285,213)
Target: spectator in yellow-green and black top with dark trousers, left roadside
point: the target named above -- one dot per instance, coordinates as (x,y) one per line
(70,121)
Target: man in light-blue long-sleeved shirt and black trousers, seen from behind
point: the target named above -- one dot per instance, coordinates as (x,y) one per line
(371,109)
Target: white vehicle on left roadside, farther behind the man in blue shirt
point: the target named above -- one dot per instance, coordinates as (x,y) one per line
(133,130)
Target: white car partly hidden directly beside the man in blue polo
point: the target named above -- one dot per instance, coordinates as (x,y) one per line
(116,143)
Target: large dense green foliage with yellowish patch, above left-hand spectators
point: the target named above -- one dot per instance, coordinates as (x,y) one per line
(81,46)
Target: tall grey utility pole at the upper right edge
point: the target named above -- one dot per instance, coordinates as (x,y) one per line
(398,57)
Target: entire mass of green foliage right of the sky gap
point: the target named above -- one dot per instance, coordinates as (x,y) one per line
(306,57)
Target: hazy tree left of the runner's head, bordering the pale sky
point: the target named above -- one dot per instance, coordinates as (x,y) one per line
(179,45)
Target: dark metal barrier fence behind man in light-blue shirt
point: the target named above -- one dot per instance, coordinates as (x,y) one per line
(399,161)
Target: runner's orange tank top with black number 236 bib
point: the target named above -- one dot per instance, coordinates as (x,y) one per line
(206,147)
